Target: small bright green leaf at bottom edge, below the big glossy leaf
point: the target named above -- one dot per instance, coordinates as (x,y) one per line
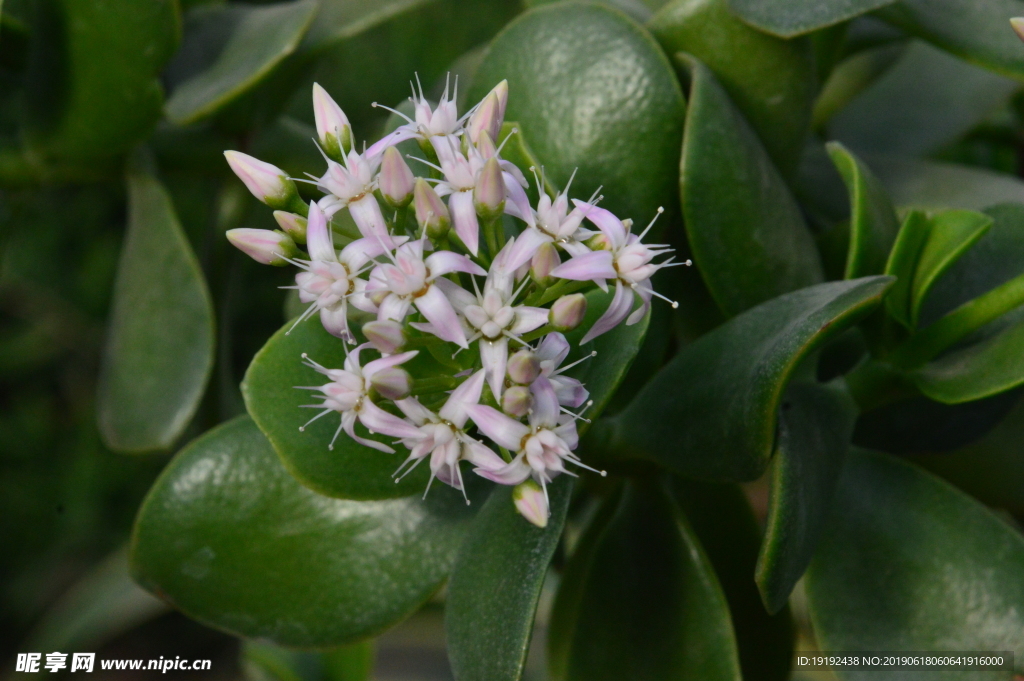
(264,662)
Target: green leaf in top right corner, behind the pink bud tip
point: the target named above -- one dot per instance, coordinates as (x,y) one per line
(976,30)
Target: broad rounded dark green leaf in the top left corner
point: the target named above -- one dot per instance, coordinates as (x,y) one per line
(104,58)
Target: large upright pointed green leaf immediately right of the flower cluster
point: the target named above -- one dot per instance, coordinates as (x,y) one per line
(746,230)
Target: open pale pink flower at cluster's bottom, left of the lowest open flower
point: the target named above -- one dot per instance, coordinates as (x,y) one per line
(443,437)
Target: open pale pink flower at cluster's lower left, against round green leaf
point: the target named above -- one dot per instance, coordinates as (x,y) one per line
(348,394)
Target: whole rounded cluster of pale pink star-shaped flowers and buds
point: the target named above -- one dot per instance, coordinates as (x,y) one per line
(460,263)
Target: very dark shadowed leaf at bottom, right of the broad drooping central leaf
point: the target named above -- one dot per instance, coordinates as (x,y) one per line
(726,526)
